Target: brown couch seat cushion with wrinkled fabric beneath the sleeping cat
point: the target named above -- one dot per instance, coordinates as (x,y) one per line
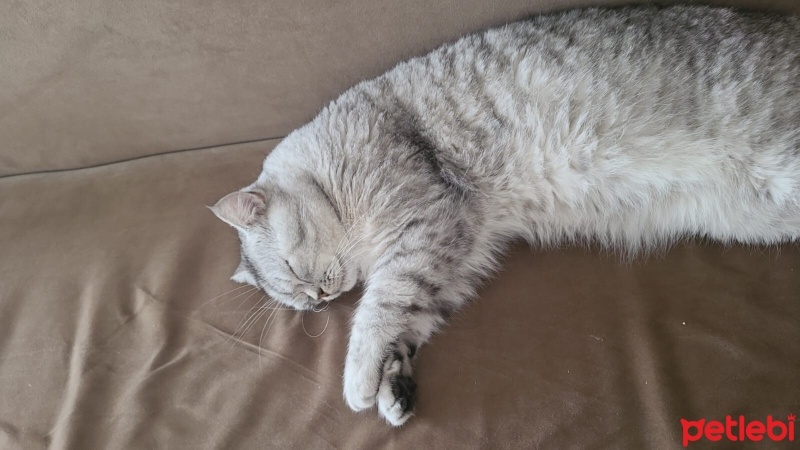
(110,339)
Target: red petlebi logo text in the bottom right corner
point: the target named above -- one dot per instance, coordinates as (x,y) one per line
(739,429)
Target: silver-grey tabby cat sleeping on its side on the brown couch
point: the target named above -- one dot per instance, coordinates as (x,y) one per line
(629,127)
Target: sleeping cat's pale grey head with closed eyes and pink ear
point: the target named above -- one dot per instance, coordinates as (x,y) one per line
(290,243)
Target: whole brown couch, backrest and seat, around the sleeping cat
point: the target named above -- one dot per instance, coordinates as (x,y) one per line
(120,328)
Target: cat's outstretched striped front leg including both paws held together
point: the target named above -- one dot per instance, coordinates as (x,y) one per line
(421,280)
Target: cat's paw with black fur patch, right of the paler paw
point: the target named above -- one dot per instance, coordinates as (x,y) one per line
(397,394)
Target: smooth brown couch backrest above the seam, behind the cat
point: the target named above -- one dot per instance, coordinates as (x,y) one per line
(88,82)
